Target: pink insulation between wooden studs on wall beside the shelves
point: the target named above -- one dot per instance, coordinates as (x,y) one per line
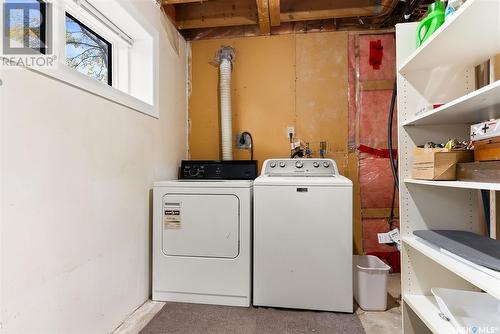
(368,119)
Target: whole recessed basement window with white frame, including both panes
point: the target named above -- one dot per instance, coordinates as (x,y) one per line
(104,47)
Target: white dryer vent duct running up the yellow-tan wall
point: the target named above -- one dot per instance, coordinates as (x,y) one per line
(224,58)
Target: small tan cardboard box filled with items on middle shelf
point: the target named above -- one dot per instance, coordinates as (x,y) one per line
(438,163)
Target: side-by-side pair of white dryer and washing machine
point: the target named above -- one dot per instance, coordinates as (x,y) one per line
(281,240)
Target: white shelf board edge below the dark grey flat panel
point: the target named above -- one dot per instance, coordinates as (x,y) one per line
(480,279)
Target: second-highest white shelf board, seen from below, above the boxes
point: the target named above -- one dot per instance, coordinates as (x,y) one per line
(478,106)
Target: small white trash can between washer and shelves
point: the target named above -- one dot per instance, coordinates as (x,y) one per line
(370,282)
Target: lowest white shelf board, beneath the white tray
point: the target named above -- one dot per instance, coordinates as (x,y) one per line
(428,311)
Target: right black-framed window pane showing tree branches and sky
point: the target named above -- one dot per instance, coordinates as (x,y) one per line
(88,52)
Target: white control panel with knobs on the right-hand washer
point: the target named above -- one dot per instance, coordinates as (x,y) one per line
(300,167)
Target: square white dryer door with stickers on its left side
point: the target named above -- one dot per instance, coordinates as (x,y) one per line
(201,225)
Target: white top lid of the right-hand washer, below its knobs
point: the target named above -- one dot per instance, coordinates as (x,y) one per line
(327,181)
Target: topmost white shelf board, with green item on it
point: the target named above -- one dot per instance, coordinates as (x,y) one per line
(469,37)
